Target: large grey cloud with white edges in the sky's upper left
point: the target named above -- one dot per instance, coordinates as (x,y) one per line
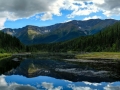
(18,9)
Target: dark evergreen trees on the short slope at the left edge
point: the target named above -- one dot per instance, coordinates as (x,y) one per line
(9,43)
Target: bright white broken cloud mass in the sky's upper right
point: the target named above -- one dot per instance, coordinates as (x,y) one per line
(108,7)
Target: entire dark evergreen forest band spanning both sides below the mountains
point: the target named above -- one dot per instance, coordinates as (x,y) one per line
(106,40)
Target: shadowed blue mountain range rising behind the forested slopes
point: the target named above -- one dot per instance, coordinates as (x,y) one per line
(58,32)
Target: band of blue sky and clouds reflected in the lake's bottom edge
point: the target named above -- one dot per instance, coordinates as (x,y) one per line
(48,83)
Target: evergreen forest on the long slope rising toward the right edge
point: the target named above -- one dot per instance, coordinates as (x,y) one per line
(106,40)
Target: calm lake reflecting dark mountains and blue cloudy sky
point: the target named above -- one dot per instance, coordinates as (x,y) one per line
(58,72)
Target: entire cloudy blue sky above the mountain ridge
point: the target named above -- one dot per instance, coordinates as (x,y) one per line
(19,13)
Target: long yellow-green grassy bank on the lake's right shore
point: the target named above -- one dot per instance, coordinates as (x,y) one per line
(99,55)
